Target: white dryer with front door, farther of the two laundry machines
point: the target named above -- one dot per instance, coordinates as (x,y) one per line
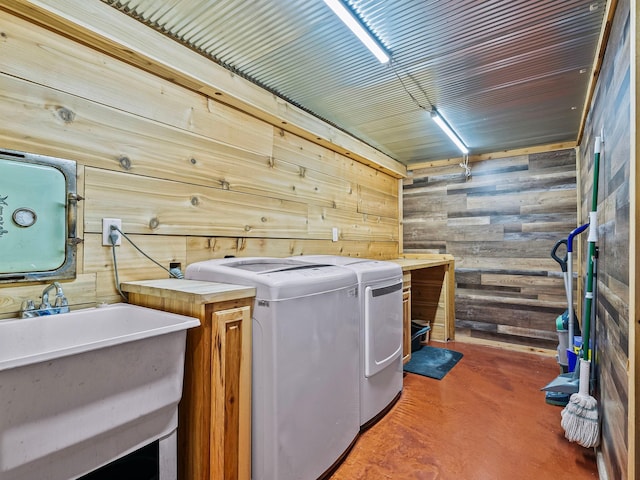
(380,285)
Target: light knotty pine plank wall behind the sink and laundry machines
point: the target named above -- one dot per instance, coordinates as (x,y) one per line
(190,178)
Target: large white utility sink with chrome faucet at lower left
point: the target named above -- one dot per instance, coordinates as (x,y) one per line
(80,389)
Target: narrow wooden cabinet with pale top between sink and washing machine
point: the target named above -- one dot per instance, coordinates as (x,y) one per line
(214,423)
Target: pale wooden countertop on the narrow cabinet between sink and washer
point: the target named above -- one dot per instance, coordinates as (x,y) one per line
(190,290)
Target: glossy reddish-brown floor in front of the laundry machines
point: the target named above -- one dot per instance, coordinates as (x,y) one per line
(485,420)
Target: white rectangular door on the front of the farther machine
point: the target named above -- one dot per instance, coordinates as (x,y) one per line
(382,326)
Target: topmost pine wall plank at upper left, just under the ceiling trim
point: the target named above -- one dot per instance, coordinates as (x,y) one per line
(102,83)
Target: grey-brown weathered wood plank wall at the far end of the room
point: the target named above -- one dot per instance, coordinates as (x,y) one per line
(500,225)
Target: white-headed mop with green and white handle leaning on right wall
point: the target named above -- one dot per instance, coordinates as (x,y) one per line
(580,416)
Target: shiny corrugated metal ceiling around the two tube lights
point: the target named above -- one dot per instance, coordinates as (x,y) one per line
(505,73)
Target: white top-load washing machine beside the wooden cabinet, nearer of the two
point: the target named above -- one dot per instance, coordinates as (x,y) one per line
(305,398)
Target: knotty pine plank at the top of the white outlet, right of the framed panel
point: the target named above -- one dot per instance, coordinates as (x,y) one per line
(148,205)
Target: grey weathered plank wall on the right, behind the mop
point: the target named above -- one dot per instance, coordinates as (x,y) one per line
(610,113)
